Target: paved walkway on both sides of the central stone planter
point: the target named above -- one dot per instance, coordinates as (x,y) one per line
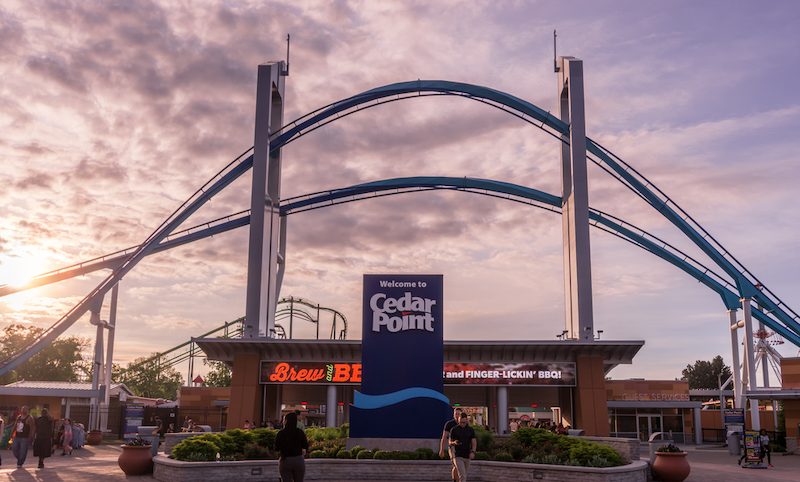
(99,463)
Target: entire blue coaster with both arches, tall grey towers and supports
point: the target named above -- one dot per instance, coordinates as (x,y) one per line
(738,287)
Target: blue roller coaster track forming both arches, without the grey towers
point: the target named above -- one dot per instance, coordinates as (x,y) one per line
(742,284)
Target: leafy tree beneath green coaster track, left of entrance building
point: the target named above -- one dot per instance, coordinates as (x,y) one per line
(150,377)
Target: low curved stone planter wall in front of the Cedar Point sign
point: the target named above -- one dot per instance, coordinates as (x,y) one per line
(169,470)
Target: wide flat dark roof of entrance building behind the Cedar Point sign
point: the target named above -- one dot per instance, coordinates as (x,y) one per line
(613,352)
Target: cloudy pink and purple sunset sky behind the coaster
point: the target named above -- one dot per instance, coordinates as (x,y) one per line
(114,113)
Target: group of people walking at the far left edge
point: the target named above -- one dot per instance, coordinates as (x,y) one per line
(43,434)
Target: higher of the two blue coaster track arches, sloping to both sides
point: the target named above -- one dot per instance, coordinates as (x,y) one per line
(778,315)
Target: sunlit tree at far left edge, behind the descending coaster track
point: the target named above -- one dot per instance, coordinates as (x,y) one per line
(55,362)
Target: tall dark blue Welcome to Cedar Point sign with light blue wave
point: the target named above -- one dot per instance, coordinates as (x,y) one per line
(401,355)
